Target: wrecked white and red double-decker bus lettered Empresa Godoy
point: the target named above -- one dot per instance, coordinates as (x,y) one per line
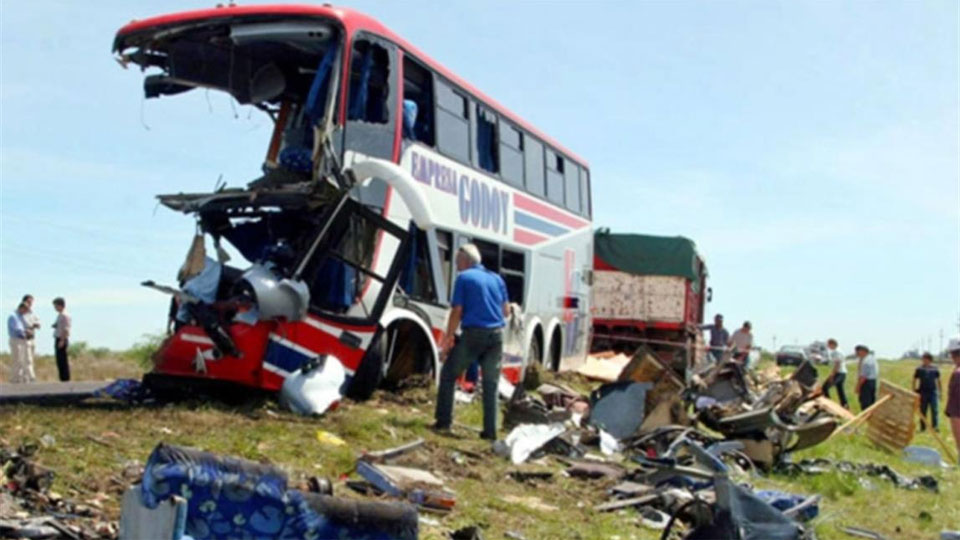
(381,164)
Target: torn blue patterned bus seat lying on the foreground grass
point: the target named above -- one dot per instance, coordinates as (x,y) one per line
(234,498)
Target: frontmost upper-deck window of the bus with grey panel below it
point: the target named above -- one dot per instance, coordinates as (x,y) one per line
(372,103)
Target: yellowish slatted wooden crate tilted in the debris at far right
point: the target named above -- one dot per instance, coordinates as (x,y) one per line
(892,425)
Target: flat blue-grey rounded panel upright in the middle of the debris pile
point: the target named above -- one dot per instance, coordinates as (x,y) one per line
(618,408)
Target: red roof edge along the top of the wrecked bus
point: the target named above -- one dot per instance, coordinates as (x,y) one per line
(352,21)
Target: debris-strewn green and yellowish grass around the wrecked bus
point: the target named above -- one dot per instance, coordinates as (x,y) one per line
(95,442)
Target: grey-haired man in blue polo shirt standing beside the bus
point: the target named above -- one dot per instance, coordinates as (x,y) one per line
(479,306)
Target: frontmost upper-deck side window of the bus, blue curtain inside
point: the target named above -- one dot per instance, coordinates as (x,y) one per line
(369,83)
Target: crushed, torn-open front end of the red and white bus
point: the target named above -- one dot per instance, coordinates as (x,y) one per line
(317,285)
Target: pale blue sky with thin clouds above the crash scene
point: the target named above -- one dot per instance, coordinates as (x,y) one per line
(810,149)
